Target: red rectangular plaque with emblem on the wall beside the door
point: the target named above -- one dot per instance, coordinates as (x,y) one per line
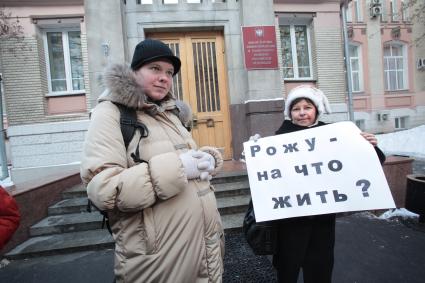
(260,47)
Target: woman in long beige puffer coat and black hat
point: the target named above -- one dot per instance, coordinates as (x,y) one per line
(162,210)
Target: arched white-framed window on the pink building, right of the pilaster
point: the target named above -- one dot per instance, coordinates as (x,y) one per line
(395,66)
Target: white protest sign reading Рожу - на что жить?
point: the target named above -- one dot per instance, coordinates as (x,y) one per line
(325,169)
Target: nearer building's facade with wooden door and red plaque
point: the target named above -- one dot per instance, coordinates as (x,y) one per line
(52,84)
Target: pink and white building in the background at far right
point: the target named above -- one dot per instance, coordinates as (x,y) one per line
(386,54)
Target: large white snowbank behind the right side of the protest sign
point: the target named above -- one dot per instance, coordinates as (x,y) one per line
(408,142)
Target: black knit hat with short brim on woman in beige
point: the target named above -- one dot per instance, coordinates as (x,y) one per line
(150,50)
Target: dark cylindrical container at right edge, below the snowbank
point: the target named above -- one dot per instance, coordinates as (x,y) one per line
(415,195)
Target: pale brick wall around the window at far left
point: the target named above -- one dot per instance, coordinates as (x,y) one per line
(25,82)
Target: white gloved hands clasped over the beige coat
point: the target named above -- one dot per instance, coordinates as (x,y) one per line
(198,164)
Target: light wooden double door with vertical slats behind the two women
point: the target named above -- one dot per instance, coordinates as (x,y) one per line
(202,83)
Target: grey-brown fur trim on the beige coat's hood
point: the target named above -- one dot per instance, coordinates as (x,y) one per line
(121,87)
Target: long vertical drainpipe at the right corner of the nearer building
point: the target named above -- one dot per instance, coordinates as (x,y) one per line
(347,61)
